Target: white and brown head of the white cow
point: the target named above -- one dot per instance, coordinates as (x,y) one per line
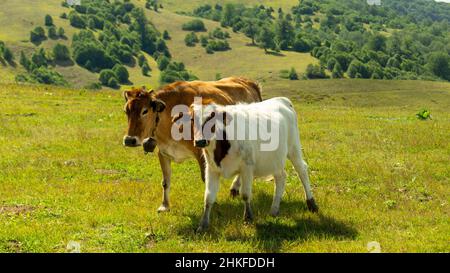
(208,123)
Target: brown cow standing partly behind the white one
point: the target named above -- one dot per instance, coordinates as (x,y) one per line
(150,120)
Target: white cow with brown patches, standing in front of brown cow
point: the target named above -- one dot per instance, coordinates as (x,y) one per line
(218,130)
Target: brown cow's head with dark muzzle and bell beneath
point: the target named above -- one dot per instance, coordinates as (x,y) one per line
(143,110)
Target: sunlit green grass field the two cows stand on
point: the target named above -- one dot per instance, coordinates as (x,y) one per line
(378,173)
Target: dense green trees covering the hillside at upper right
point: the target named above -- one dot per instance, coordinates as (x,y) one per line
(351,30)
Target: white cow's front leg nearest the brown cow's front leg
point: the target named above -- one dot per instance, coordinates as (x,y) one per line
(211,189)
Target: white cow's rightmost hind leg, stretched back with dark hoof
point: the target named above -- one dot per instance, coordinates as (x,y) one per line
(301,167)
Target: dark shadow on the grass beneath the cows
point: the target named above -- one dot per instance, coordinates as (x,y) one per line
(295,224)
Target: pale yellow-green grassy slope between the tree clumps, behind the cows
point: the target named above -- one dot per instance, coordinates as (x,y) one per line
(242,59)
